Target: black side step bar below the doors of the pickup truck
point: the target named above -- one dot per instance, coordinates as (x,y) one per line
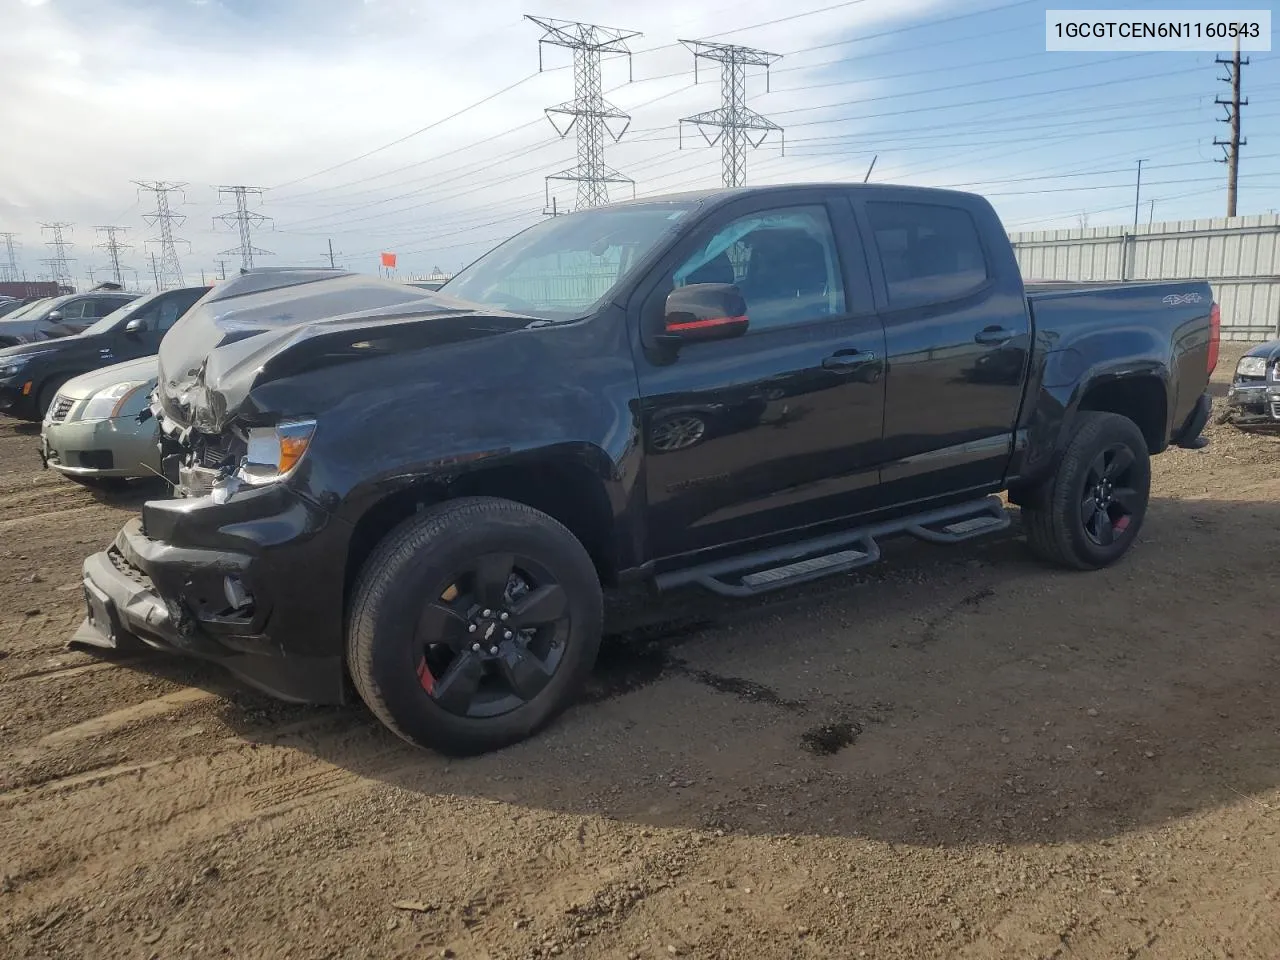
(836,554)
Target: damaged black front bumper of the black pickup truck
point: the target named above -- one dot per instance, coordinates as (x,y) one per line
(257,586)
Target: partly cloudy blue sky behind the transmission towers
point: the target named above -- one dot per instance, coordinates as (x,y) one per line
(419,129)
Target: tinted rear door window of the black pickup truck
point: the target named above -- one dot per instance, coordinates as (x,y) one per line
(929,253)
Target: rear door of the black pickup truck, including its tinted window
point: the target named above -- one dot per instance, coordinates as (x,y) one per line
(958,341)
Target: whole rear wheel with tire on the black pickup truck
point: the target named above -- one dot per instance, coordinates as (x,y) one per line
(1087,515)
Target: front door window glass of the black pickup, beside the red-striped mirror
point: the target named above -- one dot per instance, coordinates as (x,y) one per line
(784,262)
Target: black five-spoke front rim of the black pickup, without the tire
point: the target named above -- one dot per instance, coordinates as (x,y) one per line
(493,638)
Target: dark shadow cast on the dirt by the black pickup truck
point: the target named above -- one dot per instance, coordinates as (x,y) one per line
(941,698)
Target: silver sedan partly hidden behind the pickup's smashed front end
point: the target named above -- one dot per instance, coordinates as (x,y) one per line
(92,433)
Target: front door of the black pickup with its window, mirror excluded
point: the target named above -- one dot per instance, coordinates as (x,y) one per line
(779,428)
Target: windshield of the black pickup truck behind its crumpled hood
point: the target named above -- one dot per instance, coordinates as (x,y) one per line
(564,267)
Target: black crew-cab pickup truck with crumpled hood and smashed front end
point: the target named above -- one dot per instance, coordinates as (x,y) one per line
(423,495)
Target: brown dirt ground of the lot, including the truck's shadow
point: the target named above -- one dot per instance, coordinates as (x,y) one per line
(959,753)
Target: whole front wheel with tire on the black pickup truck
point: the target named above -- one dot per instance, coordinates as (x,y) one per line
(474,624)
